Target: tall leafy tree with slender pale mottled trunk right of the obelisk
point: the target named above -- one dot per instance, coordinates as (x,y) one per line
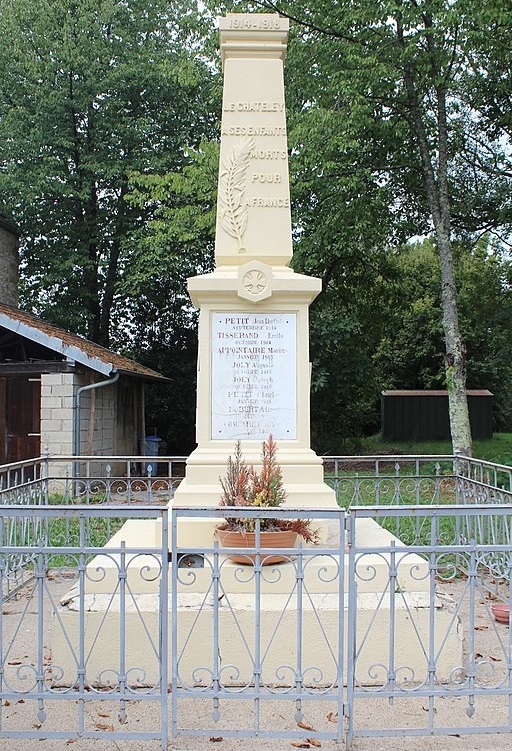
(387,85)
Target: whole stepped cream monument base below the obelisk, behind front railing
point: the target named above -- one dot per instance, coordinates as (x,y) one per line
(386,623)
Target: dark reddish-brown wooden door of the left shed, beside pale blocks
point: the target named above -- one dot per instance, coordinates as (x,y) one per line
(20,418)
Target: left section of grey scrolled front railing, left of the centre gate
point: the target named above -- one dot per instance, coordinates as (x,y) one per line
(70,668)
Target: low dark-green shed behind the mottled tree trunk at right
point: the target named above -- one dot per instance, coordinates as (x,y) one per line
(423,415)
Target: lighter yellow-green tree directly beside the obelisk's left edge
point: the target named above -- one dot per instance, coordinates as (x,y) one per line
(175,242)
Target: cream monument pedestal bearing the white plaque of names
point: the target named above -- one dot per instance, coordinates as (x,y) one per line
(253,380)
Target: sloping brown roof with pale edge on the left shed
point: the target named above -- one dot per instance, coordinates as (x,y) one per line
(71,346)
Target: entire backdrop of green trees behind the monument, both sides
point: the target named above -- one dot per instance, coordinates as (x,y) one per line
(399,127)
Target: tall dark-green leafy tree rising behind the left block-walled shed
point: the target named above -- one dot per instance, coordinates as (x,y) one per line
(92,91)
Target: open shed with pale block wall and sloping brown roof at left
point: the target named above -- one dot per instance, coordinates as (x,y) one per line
(65,393)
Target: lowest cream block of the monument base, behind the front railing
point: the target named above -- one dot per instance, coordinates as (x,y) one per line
(319,622)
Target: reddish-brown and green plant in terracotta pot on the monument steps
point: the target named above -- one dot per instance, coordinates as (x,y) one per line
(247,486)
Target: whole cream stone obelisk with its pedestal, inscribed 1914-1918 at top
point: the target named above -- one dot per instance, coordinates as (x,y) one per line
(253,364)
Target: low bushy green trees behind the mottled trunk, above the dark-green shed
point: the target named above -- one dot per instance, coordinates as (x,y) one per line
(408,353)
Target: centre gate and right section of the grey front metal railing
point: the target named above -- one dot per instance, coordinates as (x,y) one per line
(394,623)
